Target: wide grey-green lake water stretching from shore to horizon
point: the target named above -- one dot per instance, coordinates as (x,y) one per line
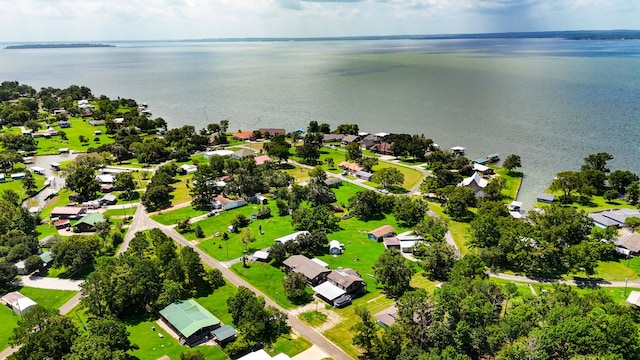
(551,101)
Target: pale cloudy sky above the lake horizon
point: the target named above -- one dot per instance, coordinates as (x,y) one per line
(97,20)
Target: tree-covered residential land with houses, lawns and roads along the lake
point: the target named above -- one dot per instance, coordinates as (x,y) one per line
(317,243)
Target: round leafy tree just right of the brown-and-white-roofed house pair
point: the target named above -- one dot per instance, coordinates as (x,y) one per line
(394,273)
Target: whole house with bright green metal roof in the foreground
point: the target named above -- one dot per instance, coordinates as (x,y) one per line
(192,322)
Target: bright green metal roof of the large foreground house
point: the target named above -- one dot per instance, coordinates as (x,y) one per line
(188,317)
